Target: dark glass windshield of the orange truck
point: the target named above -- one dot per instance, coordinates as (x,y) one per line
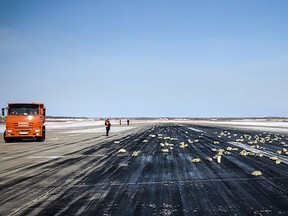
(23,109)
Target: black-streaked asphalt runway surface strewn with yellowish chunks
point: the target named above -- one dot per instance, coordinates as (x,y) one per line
(147,170)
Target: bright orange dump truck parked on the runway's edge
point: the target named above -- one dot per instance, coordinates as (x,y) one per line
(24,120)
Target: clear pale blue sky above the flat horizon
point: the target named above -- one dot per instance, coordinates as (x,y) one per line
(152,58)
